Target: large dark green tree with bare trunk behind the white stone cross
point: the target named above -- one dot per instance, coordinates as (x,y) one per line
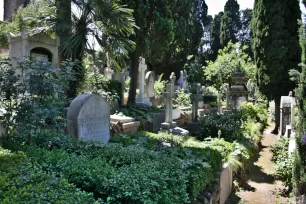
(170,32)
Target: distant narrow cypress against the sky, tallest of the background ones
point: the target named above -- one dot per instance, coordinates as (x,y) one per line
(230,23)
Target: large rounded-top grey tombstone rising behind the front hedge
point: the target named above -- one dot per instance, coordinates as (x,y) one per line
(89,118)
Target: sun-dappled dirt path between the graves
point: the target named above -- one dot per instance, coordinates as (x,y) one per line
(261,187)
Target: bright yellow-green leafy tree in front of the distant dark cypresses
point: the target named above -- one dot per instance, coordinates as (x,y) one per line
(229,60)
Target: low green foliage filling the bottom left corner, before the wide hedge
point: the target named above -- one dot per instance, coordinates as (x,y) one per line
(24,182)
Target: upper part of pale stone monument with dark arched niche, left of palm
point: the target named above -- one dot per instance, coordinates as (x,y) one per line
(40,45)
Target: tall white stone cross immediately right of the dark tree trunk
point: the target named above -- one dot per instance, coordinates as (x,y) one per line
(142,98)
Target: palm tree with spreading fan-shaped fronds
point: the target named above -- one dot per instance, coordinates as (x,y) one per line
(88,24)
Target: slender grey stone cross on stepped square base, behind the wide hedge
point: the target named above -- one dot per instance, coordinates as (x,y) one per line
(168,96)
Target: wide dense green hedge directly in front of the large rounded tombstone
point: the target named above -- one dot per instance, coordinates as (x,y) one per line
(132,168)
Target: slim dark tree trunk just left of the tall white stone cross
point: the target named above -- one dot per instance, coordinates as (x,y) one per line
(134,76)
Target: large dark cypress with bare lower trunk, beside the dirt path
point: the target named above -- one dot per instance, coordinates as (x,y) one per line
(275,42)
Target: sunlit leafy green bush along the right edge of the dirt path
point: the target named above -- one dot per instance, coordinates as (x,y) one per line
(283,162)
